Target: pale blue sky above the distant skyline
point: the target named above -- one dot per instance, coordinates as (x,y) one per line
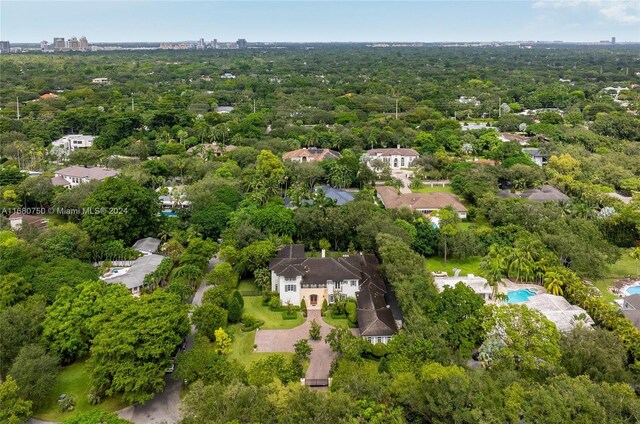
(321,21)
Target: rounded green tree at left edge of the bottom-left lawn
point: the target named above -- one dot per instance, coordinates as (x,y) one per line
(35,372)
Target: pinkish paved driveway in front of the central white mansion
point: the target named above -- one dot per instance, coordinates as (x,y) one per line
(284,341)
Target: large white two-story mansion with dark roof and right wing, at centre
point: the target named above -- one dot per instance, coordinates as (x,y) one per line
(318,279)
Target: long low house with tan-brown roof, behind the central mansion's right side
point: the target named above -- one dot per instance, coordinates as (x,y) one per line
(421,202)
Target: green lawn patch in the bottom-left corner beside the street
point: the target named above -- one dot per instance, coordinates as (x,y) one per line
(74,380)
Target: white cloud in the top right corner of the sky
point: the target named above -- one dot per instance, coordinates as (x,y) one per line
(622,11)
